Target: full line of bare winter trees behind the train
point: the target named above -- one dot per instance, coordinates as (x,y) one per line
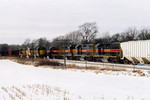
(86,33)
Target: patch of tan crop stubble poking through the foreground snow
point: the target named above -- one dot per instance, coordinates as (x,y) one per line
(35,92)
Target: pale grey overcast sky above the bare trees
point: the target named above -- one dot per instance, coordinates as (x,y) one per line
(21,19)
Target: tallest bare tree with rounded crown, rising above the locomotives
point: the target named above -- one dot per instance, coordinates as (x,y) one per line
(88,31)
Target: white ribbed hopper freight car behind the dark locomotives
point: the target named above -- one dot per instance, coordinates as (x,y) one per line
(136,51)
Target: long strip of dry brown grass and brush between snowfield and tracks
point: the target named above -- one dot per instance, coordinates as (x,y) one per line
(46,63)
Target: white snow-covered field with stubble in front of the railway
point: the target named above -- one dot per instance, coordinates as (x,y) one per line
(26,82)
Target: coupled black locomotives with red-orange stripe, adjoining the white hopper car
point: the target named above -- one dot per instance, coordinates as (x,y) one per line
(105,52)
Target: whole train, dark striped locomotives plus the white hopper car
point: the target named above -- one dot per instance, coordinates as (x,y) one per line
(125,52)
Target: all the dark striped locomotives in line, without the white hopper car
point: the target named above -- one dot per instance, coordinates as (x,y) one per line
(92,52)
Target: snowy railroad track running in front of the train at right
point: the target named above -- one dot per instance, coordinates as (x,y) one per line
(102,65)
